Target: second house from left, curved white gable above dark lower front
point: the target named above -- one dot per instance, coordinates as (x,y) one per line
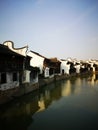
(29,73)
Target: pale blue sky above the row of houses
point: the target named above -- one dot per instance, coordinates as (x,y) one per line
(53,28)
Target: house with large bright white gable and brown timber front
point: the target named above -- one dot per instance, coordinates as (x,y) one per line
(48,66)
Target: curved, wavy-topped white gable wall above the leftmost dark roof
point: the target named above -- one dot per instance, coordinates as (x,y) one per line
(21,51)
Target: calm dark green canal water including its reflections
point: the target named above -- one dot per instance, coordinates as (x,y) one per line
(64,105)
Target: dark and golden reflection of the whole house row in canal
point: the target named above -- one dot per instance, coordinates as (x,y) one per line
(19,115)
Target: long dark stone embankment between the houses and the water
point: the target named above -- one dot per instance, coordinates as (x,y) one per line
(9,95)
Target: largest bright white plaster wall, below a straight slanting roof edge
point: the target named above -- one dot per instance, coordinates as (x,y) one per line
(36,61)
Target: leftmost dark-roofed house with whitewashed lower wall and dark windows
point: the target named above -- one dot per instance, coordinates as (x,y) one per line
(11,66)
